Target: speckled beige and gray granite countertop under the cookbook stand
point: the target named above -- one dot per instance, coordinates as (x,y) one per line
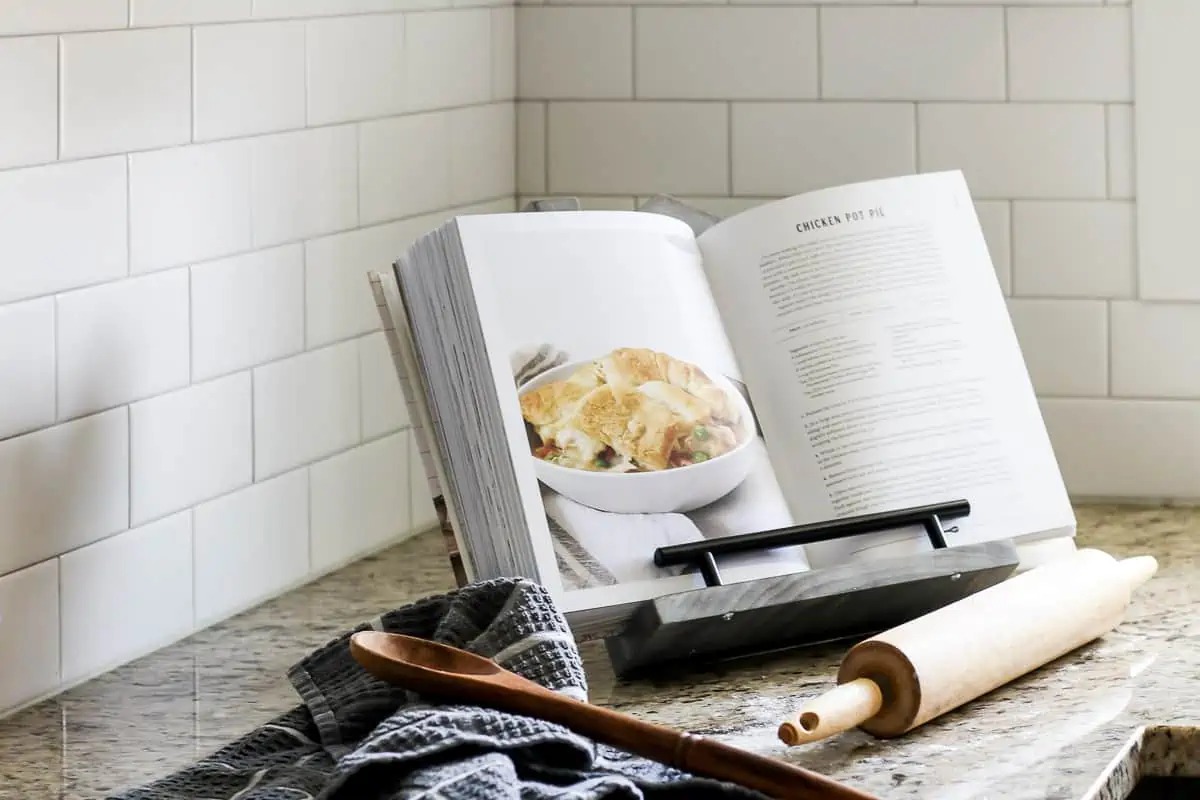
(1072,731)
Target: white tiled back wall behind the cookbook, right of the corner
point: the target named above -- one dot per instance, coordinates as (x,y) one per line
(728,105)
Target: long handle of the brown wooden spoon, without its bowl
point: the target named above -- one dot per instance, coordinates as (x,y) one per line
(686,751)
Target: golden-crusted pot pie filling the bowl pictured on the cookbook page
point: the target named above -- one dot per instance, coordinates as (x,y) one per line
(633,411)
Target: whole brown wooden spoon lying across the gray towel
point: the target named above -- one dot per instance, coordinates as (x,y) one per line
(449,672)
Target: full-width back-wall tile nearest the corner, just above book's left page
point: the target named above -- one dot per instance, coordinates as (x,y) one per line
(625,148)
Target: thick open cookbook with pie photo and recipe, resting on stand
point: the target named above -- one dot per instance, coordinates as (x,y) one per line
(591,386)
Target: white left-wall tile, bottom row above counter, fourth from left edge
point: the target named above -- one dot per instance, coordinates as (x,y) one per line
(359,502)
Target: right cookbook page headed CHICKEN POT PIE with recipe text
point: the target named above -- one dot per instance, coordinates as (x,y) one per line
(885,368)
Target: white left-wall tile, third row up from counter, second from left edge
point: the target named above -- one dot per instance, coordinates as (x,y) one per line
(122,342)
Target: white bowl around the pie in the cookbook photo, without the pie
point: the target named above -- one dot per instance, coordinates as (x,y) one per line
(676,490)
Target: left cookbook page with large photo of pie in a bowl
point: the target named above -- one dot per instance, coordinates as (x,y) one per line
(625,408)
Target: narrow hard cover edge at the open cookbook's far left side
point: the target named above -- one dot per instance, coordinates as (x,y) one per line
(392,316)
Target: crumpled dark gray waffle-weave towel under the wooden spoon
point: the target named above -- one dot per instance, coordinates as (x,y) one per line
(353,737)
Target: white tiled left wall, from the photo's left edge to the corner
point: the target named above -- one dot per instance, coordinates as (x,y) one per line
(197,411)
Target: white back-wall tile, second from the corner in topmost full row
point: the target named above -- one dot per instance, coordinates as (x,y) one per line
(724,53)
